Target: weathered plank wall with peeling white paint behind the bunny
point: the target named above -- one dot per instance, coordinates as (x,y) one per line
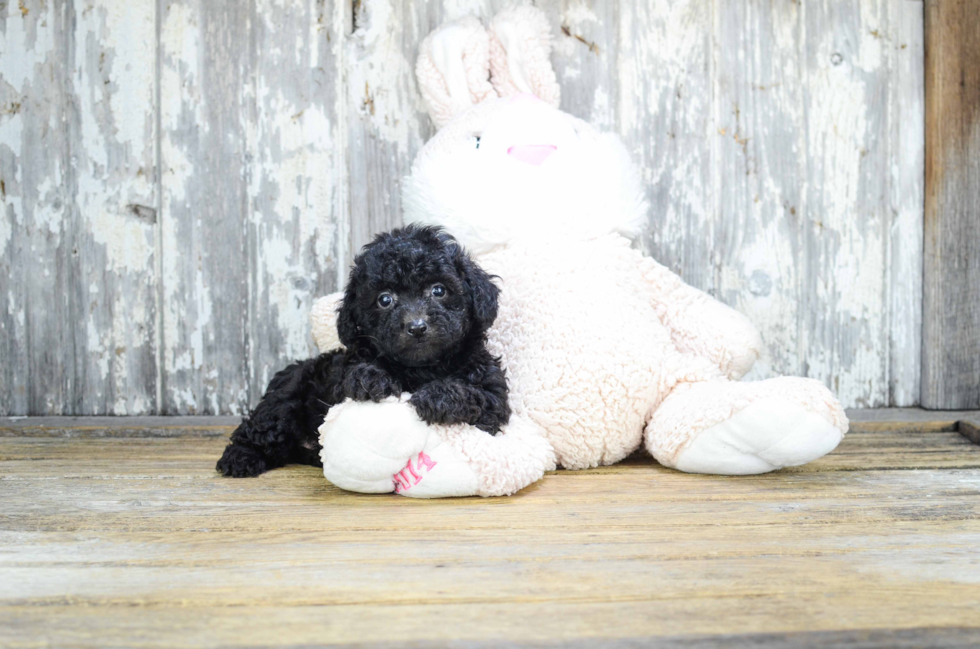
(180,178)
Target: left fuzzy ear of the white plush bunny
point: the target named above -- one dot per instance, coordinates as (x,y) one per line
(453,69)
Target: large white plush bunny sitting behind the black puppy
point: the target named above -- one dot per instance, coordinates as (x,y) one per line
(606,350)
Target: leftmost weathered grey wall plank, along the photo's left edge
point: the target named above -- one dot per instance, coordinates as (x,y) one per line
(37,181)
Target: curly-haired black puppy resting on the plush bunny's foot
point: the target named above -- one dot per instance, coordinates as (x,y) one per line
(413,319)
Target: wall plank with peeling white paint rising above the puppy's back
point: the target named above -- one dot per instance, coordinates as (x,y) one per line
(293,187)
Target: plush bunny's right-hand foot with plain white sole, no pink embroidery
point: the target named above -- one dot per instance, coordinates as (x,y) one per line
(731,428)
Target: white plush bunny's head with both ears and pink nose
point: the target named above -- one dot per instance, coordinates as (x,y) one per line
(506,164)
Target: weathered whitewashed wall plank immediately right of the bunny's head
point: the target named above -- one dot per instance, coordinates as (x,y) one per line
(664,112)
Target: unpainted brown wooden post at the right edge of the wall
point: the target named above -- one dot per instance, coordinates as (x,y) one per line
(951,311)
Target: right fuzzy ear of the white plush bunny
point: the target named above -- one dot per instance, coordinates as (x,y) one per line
(520,48)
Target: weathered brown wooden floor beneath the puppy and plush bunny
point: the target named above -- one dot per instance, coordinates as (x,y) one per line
(138,542)
